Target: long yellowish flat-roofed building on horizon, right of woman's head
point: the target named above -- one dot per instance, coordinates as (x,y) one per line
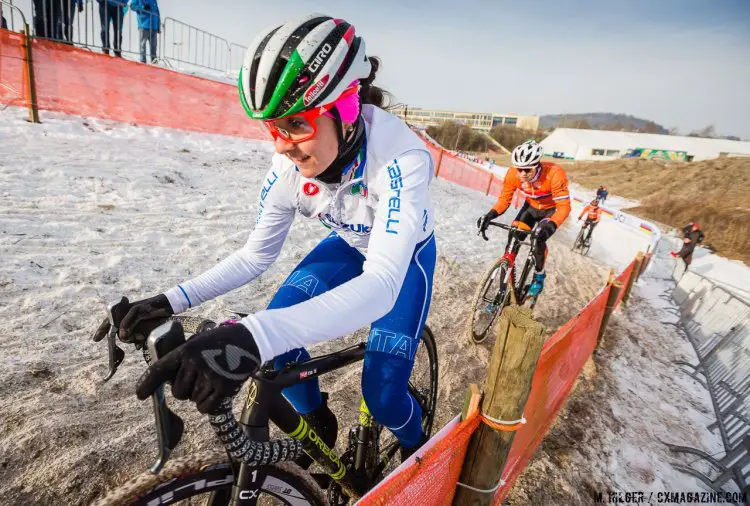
(483,121)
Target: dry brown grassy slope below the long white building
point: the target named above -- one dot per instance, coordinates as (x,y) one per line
(715,193)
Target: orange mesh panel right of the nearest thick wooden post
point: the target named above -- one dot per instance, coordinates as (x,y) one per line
(562,359)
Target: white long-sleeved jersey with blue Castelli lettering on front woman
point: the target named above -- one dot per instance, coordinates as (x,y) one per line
(381,207)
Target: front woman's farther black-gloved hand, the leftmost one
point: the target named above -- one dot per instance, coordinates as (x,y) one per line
(142,317)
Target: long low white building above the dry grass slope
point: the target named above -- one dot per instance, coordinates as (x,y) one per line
(577,144)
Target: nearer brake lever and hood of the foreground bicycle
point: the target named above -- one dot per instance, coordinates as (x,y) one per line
(169,426)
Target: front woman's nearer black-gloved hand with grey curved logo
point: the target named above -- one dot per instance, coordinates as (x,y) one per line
(207,368)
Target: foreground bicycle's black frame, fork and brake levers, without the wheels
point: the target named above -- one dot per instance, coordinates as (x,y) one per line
(264,403)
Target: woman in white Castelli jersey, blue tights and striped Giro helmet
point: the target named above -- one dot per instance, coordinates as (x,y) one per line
(346,162)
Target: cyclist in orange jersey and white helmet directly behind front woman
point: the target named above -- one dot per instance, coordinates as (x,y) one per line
(545,188)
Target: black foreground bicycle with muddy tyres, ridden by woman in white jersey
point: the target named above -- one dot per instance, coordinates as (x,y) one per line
(254,469)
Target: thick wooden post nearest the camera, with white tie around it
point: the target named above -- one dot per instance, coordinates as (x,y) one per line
(506,389)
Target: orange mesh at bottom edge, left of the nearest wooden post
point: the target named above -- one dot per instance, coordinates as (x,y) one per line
(433,479)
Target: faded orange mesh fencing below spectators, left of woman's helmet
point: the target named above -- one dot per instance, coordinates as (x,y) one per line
(76,81)
